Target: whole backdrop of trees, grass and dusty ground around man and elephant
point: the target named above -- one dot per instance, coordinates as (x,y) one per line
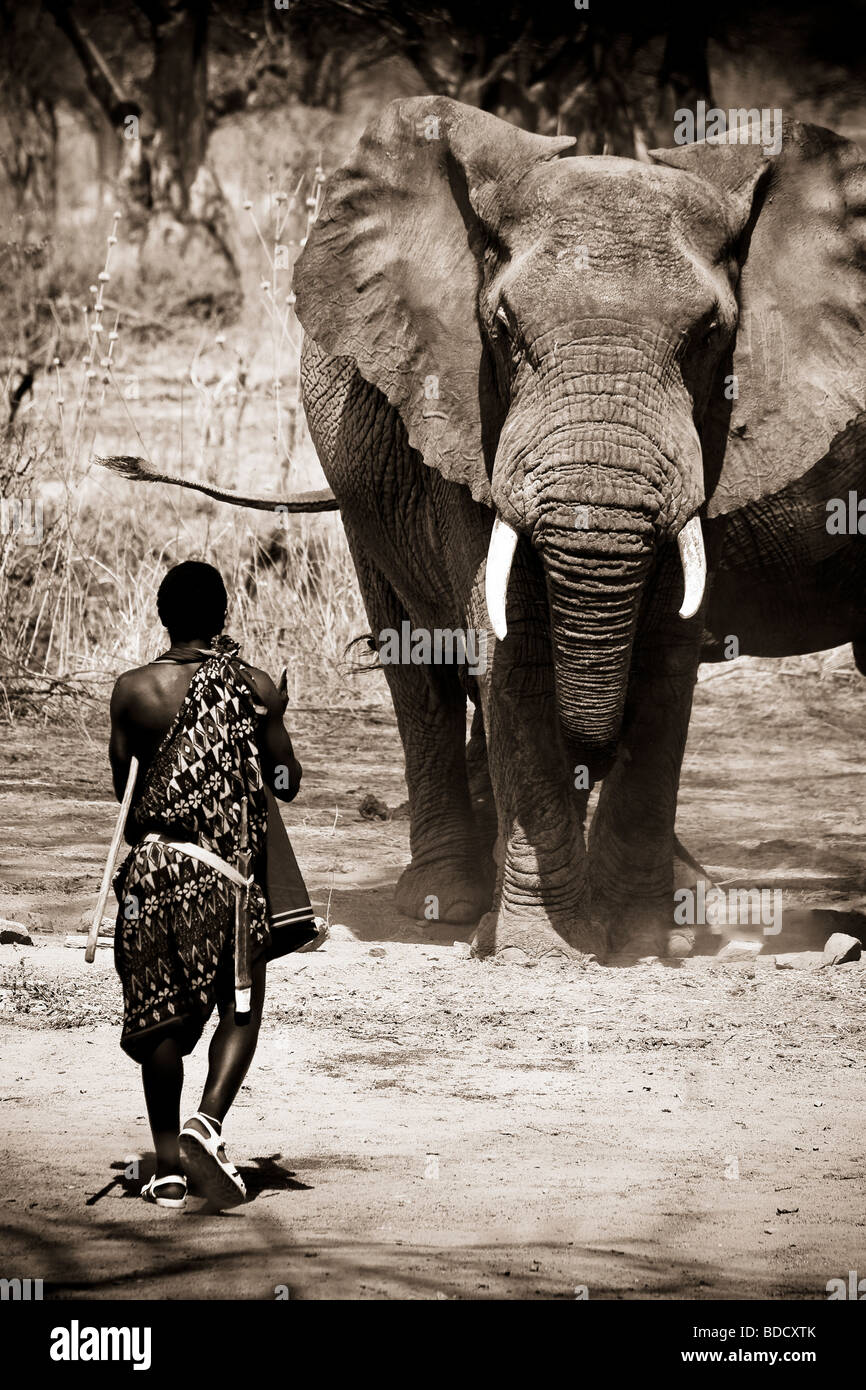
(418,1125)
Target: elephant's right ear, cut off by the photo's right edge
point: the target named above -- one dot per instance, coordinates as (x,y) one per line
(800,359)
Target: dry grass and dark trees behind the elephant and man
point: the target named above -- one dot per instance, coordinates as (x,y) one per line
(211,130)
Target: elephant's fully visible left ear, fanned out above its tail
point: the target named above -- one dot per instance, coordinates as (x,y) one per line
(393,269)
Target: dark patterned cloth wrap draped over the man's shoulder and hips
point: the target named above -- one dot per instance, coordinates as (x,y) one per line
(174,936)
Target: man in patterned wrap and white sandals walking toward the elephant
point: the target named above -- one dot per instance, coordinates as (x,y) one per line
(209,735)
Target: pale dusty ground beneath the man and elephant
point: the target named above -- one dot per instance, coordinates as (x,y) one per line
(420,1125)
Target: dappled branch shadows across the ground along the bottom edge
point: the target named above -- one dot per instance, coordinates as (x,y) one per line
(268,1260)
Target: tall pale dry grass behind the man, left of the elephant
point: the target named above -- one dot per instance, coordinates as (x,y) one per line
(219,402)
